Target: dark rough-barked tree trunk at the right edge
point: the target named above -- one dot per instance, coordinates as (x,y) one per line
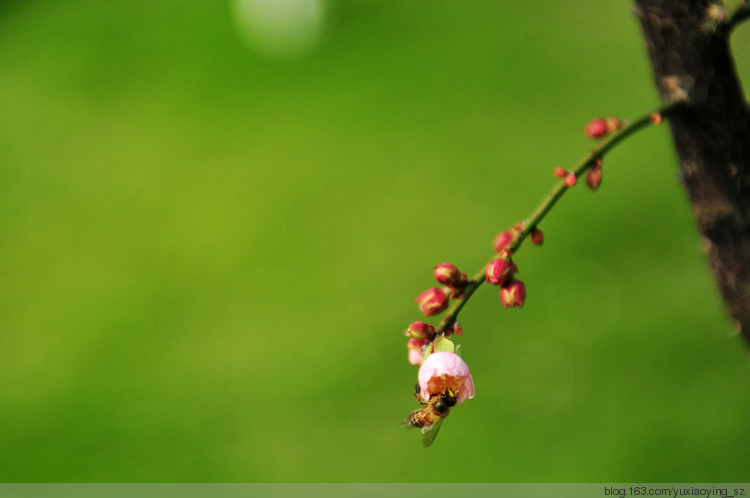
(688,43)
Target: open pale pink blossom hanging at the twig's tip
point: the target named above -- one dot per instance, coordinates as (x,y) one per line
(445,370)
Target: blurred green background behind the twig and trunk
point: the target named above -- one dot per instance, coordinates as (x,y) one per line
(208,255)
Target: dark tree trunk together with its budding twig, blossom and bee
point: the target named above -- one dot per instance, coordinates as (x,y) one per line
(710,122)
